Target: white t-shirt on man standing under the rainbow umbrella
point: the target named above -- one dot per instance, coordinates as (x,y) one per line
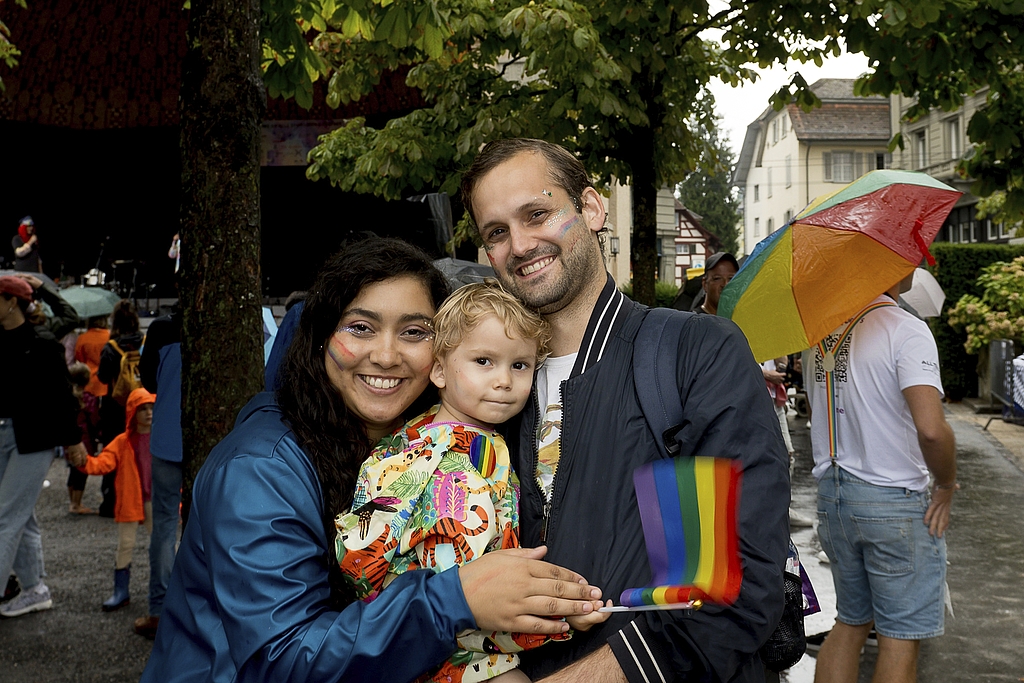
(888,352)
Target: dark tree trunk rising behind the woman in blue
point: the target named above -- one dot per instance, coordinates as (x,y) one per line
(223,105)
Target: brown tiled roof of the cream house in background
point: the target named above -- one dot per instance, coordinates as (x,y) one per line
(842,117)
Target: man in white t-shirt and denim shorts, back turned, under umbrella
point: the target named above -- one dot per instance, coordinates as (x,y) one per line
(874,450)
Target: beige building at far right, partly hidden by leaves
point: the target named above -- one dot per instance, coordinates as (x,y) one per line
(934,145)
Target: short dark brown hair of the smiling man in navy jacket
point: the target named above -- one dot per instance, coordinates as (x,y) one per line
(566,170)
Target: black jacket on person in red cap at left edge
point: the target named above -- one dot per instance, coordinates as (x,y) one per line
(45,412)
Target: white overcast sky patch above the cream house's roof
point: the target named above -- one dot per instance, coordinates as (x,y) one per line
(740,107)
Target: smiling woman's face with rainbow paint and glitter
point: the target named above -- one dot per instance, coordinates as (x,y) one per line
(379,359)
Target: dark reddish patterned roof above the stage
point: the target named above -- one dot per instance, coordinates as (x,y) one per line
(117,64)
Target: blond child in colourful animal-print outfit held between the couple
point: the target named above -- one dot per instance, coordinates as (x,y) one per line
(442,491)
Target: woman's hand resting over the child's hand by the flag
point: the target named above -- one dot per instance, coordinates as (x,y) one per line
(514,590)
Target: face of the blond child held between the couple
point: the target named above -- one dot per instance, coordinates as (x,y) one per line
(487,379)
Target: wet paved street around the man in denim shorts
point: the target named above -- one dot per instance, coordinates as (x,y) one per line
(986,550)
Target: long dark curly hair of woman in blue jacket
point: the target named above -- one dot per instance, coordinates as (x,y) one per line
(334,440)
